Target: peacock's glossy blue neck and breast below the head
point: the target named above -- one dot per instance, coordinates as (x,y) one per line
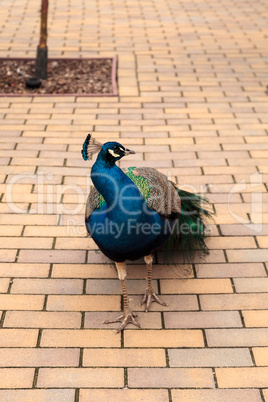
(124,228)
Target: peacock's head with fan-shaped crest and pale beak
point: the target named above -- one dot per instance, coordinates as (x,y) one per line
(110,151)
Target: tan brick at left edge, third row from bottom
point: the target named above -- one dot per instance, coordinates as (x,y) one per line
(39,357)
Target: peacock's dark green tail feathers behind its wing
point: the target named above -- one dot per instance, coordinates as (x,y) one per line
(190,230)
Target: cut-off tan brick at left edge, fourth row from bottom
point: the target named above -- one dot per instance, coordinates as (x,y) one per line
(18,337)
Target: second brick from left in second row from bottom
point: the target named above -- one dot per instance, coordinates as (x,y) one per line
(81,377)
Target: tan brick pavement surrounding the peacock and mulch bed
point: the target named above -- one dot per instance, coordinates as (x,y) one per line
(192,102)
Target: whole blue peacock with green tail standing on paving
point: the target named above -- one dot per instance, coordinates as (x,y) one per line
(131,213)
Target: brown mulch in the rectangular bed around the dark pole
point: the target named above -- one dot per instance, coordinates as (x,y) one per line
(65,76)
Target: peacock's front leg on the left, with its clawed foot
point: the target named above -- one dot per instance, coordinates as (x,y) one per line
(128,317)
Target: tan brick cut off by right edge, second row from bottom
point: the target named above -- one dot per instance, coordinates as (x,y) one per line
(251,377)
